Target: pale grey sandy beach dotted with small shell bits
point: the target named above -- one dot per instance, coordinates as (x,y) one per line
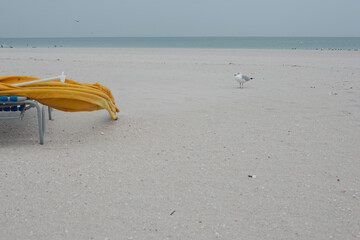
(191,156)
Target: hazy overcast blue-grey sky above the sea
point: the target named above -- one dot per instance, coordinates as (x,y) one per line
(122,18)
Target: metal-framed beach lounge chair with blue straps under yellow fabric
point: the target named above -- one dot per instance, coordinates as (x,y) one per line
(9,105)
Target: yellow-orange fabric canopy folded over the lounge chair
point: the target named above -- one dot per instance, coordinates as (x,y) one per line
(70,96)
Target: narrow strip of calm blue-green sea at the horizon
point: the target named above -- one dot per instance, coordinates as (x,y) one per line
(343,43)
